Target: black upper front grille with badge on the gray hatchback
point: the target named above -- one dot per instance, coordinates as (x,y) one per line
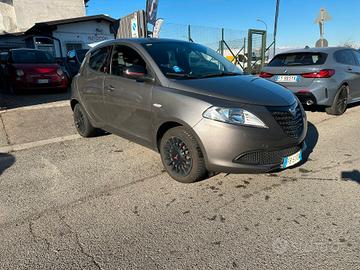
(290,119)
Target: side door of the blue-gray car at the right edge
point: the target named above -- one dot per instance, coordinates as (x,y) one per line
(347,62)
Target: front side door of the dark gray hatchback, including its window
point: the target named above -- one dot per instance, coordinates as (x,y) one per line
(128,101)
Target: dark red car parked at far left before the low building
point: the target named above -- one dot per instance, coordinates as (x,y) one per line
(30,69)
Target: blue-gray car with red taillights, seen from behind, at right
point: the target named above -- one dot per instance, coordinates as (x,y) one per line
(328,77)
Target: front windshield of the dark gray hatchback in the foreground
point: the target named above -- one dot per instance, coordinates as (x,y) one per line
(182,60)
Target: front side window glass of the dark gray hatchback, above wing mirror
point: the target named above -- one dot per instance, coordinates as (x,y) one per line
(124,57)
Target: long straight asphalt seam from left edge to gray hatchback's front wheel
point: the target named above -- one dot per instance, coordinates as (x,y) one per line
(72,204)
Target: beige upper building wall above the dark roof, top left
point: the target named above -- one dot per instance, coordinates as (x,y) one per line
(20,15)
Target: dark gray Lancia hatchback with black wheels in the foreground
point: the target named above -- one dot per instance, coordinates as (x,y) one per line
(190,104)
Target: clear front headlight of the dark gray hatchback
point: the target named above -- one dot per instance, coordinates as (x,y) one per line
(235,116)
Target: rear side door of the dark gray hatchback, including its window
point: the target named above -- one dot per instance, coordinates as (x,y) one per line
(91,84)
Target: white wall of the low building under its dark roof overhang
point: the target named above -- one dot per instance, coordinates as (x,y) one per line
(84,33)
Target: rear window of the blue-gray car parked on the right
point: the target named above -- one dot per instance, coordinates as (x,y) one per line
(298,59)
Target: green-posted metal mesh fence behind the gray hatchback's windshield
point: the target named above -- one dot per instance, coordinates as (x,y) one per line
(231,43)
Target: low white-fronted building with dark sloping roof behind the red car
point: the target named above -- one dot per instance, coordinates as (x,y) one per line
(60,36)
